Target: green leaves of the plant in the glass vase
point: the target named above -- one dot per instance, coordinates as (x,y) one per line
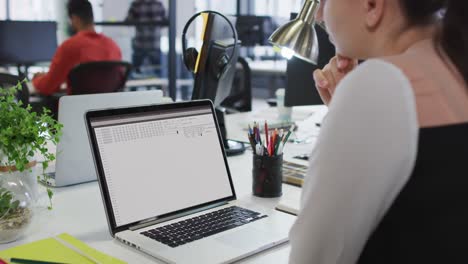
(22,134)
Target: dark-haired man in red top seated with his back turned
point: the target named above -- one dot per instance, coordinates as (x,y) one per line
(85,46)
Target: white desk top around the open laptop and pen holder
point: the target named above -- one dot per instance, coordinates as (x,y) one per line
(79,211)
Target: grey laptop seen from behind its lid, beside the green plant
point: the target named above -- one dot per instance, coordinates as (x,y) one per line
(74,163)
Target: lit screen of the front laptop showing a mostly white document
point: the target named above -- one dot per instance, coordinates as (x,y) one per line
(160,161)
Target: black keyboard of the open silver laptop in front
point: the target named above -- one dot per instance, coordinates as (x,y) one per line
(205,225)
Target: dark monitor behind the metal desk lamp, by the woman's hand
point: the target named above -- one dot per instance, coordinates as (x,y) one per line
(300,84)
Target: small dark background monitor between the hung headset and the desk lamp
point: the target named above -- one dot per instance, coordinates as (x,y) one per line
(254,30)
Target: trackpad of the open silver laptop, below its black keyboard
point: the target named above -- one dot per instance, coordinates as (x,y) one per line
(247,238)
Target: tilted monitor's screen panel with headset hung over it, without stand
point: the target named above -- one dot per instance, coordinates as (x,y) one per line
(217,41)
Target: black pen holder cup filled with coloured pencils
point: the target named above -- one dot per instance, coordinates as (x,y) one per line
(267,175)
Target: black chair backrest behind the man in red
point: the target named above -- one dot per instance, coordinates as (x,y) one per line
(99,77)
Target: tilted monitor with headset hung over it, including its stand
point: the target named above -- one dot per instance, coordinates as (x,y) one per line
(218,41)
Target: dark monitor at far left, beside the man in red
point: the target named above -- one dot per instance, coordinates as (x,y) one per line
(27,42)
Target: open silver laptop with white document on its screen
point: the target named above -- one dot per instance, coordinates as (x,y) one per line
(167,188)
